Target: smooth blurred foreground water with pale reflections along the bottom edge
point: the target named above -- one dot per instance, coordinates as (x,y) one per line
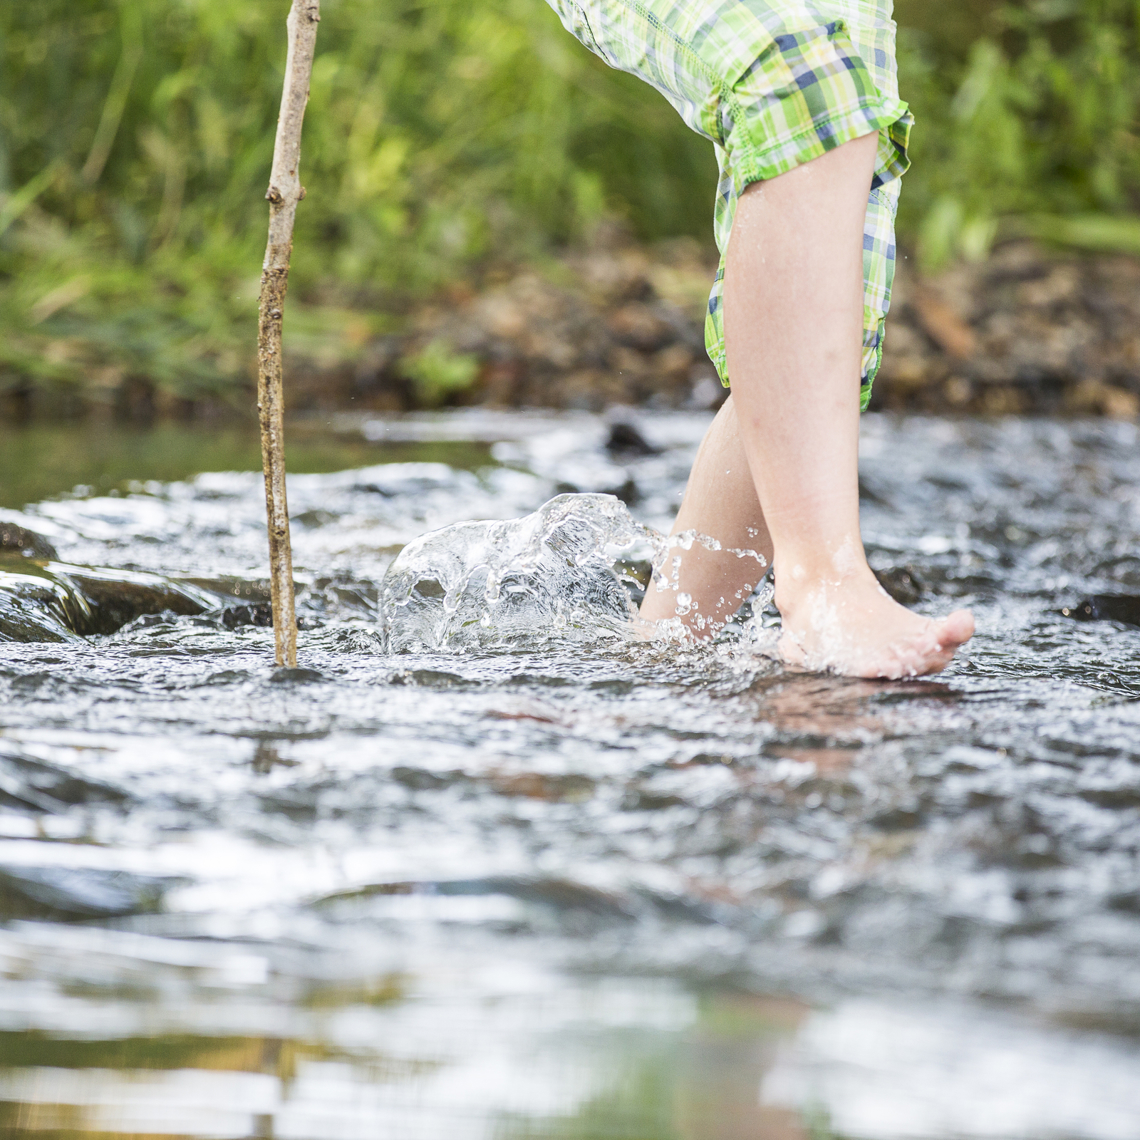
(518,1053)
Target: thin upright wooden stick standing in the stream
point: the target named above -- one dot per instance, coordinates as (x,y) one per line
(284,193)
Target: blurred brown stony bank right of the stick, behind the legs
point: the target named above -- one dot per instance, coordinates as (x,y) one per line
(1027,331)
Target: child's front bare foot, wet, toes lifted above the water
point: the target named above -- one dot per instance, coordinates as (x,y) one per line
(854,629)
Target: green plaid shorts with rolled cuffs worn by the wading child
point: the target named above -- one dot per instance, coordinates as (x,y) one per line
(773,84)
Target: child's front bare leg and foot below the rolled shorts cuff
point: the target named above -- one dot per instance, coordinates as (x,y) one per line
(794,324)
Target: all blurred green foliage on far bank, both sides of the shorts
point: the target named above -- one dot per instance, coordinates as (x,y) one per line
(443,137)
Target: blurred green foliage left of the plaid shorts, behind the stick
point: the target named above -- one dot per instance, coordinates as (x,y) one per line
(135,145)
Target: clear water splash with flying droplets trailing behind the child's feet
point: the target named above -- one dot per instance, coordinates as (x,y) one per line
(573,571)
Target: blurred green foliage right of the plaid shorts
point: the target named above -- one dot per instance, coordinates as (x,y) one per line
(1028,124)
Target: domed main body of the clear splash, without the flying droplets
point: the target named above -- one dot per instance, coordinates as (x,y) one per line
(547,576)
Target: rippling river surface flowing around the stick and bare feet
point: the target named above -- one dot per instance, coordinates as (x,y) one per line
(544,878)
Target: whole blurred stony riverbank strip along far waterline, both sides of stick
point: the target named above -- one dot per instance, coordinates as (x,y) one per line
(1028,331)
